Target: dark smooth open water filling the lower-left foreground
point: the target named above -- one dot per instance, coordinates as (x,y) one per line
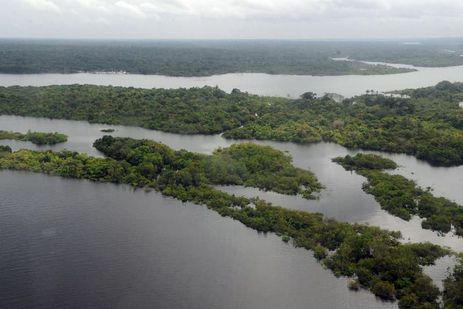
(77,244)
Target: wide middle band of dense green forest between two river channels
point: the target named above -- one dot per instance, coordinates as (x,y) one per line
(428,125)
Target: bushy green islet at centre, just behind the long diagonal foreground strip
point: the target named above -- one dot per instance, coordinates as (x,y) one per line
(240,164)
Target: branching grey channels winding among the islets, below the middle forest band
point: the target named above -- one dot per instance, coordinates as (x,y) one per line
(342,199)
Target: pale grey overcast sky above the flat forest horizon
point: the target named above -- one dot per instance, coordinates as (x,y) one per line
(206,19)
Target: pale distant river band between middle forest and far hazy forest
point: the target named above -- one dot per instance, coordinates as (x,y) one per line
(256,83)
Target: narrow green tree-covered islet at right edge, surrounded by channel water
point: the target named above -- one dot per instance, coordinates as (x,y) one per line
(402,197)
